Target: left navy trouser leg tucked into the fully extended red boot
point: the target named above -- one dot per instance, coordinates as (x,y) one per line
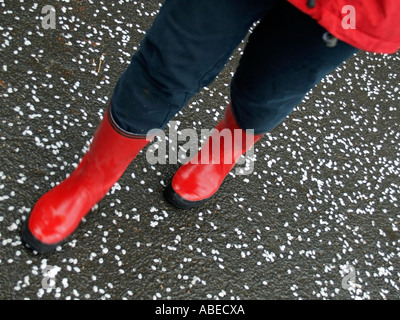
(187,46)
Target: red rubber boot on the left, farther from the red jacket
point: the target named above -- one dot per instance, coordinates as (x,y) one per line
(58,213)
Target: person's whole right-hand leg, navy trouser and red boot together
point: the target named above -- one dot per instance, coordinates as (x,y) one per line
(284,58)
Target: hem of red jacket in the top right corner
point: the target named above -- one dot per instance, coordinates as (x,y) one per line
(370,25)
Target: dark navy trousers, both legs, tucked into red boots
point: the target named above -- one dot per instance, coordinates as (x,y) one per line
(190,42)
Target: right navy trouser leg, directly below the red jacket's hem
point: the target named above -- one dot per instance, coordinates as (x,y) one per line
(285,57)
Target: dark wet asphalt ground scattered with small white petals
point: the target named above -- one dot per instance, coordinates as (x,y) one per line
(323,195)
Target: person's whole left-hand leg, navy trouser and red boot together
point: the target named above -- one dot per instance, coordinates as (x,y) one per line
(187,46)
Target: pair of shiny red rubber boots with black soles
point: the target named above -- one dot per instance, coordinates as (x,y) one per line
(58,213)
